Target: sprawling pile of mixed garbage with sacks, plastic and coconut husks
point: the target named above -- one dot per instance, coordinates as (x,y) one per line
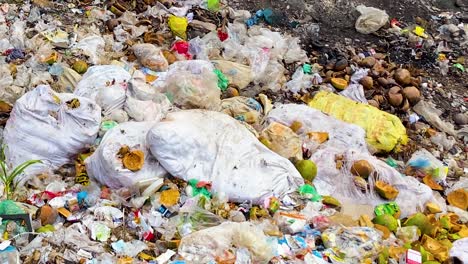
(191,132)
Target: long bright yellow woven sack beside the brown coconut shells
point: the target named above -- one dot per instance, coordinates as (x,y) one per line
(384,131)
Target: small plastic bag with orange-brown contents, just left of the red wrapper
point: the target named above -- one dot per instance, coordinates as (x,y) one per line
(150,56)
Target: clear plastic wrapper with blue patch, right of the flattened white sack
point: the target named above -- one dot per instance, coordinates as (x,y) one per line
(423,161)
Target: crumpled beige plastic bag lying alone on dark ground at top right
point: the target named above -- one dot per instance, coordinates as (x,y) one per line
(371,19)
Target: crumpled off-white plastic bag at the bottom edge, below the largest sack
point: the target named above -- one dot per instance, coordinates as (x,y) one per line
(211,243)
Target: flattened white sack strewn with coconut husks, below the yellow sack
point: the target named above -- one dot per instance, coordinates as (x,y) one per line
(348,141)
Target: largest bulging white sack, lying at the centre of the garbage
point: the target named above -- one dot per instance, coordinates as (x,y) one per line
(214,147)
